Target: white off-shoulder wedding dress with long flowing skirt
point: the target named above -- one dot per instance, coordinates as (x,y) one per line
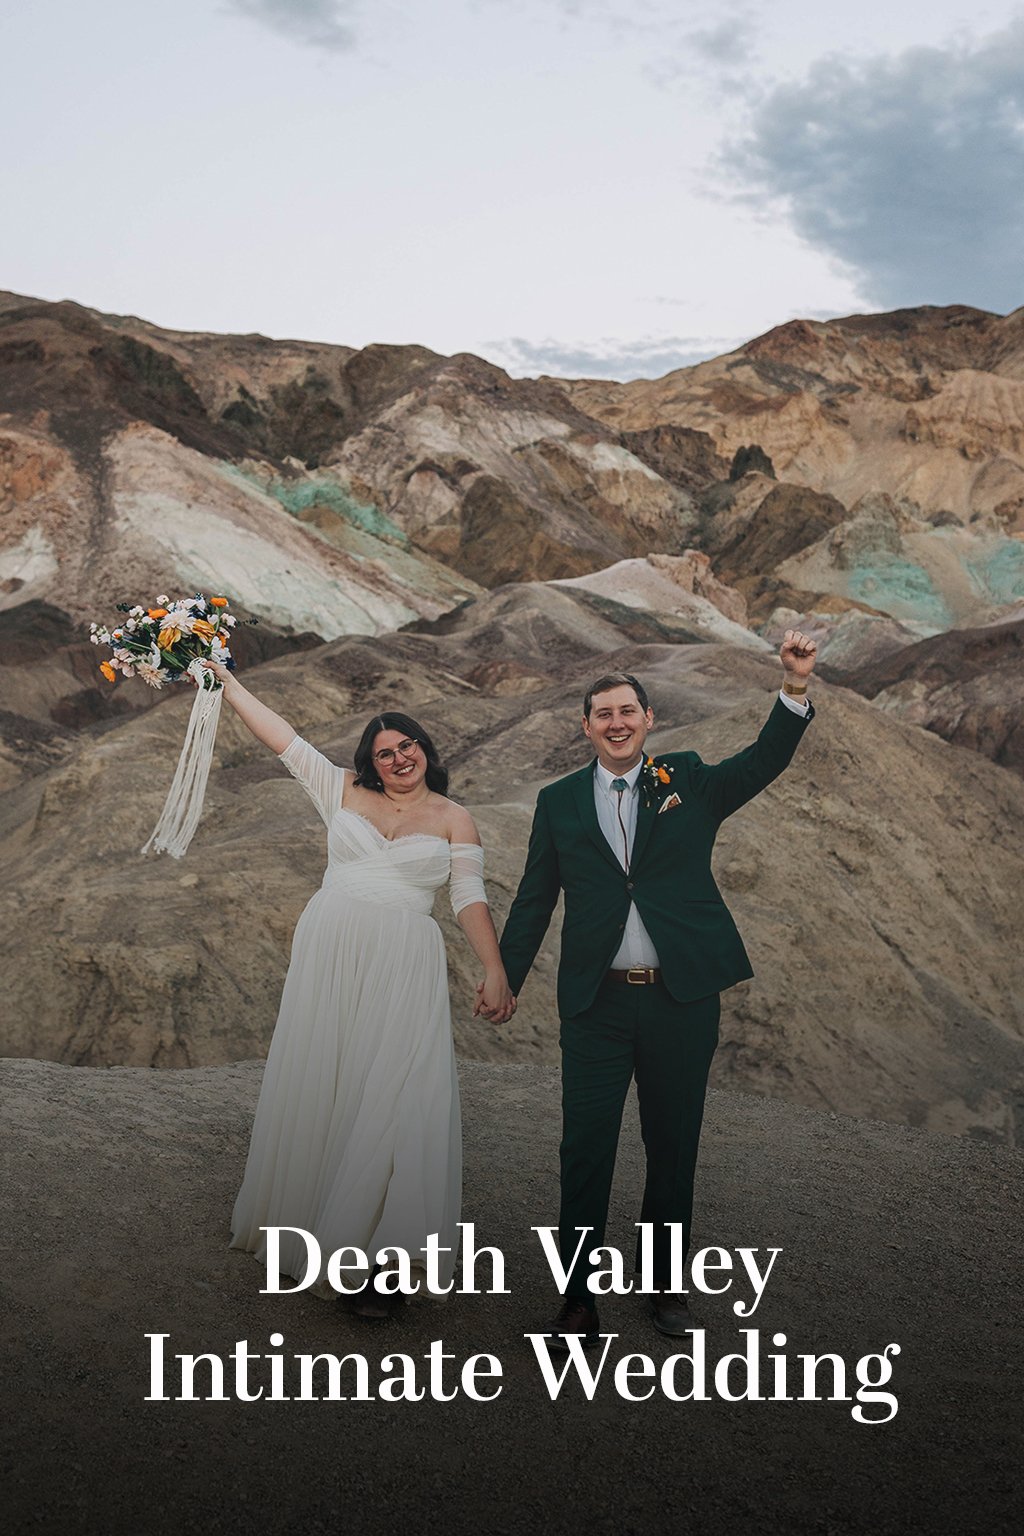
(357,1136)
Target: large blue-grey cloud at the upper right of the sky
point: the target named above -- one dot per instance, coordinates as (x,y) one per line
(908,170)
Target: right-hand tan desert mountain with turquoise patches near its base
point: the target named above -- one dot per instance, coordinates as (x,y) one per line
(877,463)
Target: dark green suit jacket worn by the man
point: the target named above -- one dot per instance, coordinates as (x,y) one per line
(670,875)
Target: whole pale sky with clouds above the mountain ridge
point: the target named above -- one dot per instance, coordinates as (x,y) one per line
(563,187)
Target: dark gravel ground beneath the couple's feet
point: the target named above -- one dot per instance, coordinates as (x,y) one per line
(116,1199)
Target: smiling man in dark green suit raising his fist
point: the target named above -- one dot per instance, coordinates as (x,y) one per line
(647,948)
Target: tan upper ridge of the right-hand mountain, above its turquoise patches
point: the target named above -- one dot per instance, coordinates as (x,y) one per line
(925,405)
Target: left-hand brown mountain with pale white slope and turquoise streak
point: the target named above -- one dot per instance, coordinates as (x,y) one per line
(331,483)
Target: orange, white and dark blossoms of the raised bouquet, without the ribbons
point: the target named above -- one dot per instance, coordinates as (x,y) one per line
(160,644)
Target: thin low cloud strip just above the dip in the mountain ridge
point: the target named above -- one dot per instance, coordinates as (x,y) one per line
(650,357)
